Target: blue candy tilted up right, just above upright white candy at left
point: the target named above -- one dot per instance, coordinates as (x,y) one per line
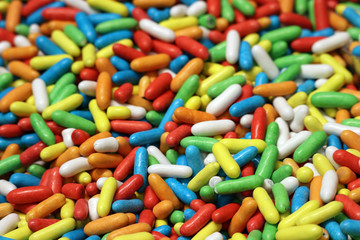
(51,75)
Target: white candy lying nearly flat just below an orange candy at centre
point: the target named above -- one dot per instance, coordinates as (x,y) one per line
(212,128)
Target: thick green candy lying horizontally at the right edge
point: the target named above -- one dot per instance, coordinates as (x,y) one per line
(333,100)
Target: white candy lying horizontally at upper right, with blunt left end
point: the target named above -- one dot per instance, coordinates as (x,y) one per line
(314,71)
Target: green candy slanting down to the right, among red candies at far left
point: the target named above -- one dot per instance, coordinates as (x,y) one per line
(41,129)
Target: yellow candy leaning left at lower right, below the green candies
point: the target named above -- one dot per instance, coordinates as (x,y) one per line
(266,205)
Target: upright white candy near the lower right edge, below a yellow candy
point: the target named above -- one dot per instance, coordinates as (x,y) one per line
(329,186)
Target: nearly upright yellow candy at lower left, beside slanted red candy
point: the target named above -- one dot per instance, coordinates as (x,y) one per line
(106,197)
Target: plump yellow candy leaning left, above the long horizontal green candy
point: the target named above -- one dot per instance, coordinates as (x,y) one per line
(226,161)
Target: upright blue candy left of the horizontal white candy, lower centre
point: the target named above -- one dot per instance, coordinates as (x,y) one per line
(141,164)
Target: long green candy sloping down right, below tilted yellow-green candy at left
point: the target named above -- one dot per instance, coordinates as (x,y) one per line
(70,120)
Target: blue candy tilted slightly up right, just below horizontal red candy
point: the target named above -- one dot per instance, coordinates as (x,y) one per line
(151,136)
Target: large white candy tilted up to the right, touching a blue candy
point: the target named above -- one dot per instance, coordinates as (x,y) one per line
(222,102)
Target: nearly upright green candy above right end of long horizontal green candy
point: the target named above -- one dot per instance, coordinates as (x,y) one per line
(267,162)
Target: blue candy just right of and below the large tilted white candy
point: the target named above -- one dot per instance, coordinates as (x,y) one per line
(245,106)
